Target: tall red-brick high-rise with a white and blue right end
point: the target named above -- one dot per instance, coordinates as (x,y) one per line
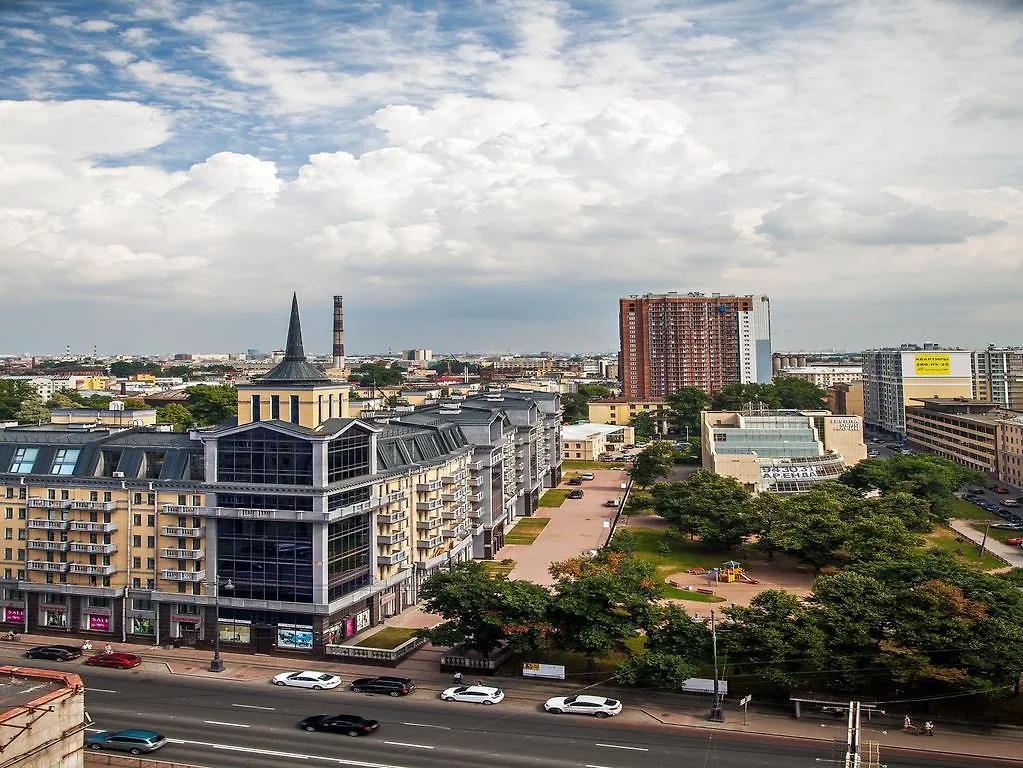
(672,341)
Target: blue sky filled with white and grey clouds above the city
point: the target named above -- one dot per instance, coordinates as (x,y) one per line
(493,175)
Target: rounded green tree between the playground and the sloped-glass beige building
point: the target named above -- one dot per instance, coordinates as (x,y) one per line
(717,509)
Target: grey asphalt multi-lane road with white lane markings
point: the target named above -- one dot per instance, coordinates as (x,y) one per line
(233,725)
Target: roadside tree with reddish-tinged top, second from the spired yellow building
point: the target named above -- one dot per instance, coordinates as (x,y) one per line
(600,603)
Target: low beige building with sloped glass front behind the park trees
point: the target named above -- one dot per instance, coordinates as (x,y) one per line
(781,451)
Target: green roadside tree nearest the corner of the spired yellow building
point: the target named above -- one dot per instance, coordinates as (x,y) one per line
(483,611)
